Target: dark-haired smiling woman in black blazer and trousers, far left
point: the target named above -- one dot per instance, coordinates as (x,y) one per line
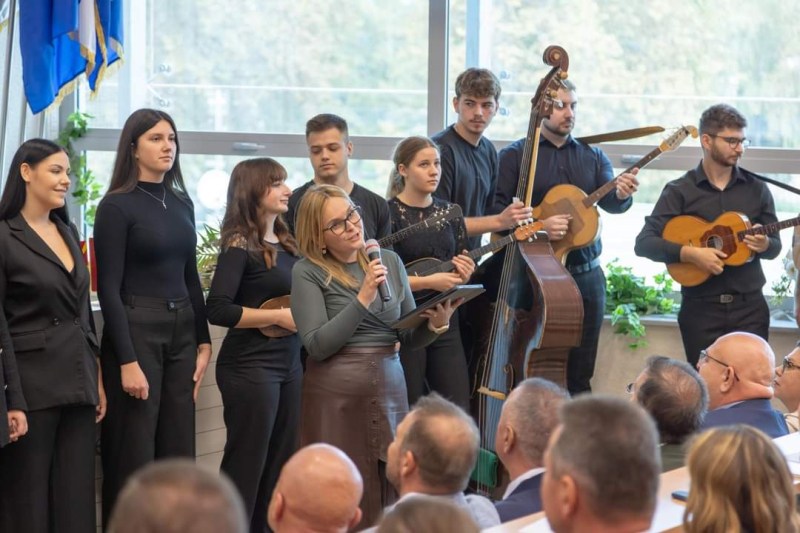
(48,476)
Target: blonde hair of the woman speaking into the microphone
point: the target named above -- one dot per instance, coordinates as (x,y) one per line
(310,234)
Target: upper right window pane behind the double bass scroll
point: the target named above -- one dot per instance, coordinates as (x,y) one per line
(640,63)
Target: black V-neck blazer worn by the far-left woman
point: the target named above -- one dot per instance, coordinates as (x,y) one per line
(49,317)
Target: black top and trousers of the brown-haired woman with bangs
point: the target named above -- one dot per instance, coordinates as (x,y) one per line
(259,377)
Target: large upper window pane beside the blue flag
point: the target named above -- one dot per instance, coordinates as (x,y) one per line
(266,67)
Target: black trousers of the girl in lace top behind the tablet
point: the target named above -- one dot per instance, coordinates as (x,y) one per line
(441,367)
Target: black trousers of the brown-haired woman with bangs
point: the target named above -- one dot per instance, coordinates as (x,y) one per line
(261,409)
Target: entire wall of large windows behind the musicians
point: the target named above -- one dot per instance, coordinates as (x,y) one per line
(252,75)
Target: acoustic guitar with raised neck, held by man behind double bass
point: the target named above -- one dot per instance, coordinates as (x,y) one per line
(584,228)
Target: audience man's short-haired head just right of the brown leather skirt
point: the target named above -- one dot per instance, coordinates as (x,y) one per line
(435,449)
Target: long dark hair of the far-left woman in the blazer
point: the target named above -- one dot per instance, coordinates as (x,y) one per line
(32,152)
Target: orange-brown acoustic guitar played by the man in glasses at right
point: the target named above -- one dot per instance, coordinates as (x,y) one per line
(726,233)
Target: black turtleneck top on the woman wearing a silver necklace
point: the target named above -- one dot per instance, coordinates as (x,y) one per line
(145,250)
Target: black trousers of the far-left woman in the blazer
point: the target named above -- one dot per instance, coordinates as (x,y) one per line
(48,475)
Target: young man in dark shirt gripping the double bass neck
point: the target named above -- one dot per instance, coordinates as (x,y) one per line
(469,161)
